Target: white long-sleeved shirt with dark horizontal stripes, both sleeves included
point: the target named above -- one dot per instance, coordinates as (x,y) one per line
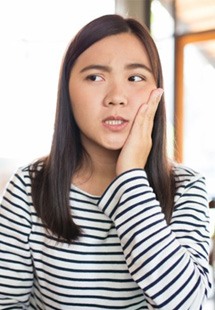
(126,258)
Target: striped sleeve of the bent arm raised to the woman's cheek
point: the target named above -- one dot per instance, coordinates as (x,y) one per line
(168,262)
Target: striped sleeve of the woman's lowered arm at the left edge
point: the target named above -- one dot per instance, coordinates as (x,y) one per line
(16,270)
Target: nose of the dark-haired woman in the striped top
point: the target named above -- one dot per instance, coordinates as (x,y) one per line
(115,96)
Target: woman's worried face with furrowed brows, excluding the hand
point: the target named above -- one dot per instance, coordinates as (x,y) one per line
(108,83)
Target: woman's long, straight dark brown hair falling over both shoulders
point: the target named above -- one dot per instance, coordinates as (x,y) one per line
(52,175)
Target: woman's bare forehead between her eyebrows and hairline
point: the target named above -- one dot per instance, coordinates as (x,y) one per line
(125,47)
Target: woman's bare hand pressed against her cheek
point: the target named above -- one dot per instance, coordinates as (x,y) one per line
(136,149)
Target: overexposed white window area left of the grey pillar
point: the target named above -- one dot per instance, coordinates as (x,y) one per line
(34,35)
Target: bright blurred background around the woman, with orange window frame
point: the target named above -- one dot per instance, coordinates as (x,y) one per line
(34,35)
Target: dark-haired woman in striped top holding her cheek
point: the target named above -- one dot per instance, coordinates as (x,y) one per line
(106,221)
